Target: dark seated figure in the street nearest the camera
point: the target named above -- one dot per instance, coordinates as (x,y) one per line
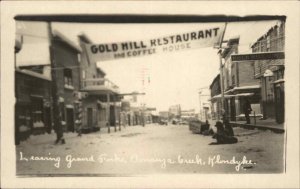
(222,137)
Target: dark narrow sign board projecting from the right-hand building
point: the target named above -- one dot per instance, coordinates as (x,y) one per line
(258,56)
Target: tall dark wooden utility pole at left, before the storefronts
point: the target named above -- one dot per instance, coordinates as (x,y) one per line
(57,118)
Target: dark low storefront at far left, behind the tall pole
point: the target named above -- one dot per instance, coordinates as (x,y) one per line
(33,105)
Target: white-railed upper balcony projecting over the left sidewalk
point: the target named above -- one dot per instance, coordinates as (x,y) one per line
(98,86)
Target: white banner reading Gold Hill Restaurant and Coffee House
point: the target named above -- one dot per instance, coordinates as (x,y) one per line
(189,40)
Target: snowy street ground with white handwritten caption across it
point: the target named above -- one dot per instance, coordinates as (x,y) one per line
(152,149)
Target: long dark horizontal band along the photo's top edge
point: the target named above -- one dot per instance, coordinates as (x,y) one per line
(143,18)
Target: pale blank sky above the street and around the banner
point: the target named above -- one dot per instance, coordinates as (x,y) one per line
(167,78)
